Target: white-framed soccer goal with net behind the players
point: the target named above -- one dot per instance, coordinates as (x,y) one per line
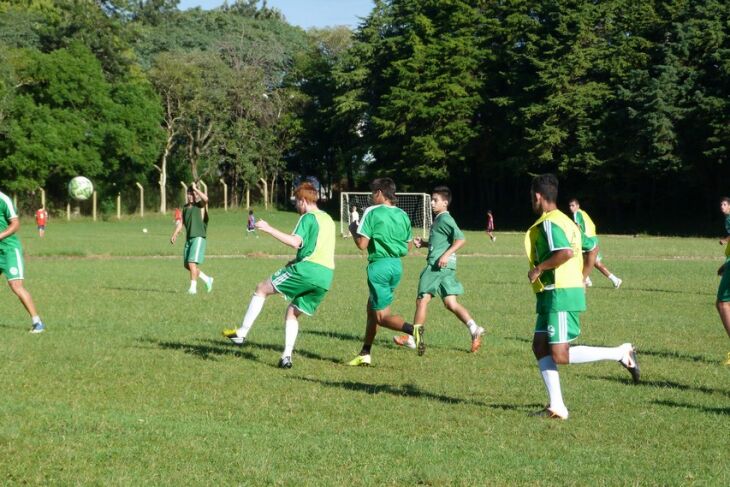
(416,205)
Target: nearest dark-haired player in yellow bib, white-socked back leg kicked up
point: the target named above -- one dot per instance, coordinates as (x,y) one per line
(553,246)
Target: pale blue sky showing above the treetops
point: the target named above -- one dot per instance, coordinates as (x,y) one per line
(306,13)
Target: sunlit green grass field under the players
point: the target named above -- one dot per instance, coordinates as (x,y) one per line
(132,383)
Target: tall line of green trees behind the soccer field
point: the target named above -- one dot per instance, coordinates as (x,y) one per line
(627,101)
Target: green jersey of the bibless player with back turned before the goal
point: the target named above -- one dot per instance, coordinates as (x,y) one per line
(389,230)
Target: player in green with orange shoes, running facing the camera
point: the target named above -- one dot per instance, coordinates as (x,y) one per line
(438,278)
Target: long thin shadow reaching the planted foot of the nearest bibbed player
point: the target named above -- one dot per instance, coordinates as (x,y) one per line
(410,390)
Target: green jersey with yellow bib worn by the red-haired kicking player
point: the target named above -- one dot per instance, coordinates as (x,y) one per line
(316,257)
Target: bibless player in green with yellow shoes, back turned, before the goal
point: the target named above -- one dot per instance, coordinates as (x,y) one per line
(385,231)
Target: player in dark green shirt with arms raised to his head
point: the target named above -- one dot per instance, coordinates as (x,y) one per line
(195,220)
